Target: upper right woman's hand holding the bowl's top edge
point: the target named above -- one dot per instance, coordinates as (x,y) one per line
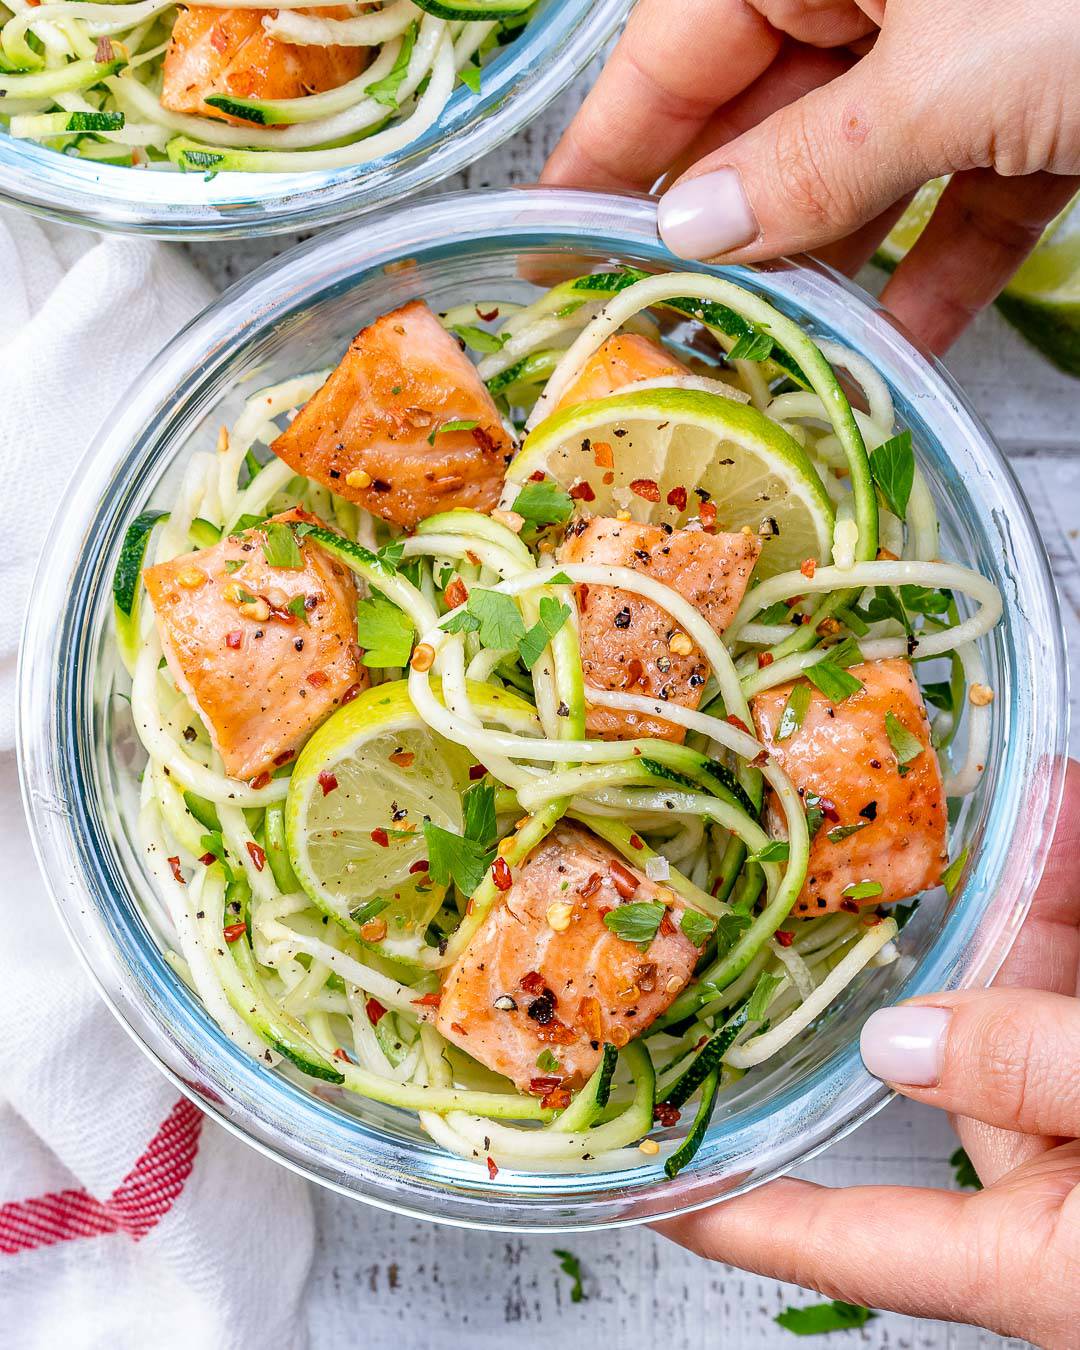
(811,122)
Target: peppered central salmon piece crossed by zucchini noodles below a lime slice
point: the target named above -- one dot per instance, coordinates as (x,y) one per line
(634,646)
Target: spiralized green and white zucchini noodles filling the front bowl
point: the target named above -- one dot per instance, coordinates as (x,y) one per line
(296,990)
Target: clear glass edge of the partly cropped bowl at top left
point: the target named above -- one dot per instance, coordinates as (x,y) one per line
(519,82)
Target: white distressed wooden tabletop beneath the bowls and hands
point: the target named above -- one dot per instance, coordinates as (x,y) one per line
(385,1283)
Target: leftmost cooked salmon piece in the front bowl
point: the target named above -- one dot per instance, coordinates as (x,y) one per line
(261,674)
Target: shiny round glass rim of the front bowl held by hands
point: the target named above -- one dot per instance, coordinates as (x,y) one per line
(254,306)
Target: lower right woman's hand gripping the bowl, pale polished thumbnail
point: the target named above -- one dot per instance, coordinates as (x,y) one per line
(1006,1062)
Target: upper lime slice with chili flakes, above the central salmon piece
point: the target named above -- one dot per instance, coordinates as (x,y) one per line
(670,442)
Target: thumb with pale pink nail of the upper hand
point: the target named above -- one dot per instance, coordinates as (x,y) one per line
(807,176)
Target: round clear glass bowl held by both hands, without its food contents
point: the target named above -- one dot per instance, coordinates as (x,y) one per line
(79,755)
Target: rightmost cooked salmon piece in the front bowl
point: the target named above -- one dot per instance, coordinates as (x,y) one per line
(843,755)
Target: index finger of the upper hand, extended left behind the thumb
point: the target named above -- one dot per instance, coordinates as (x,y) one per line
(672,70)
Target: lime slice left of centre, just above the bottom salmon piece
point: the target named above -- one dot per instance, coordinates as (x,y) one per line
(358,799)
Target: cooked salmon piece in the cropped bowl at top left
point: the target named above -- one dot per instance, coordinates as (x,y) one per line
(229,53)
